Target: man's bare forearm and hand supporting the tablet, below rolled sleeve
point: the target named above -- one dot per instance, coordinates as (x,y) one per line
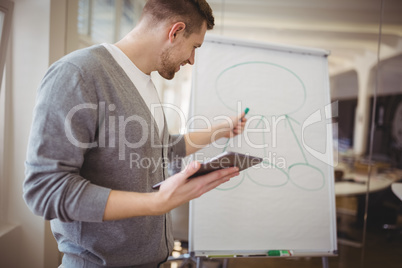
(174,192)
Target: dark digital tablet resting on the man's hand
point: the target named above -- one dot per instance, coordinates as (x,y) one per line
(224,160)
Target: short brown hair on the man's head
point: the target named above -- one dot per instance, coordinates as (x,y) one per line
(192,12)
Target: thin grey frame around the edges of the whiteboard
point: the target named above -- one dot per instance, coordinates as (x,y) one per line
(210,38)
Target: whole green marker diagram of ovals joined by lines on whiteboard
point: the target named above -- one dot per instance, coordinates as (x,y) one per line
(291,85)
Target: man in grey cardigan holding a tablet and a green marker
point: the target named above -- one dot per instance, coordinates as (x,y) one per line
(94,127)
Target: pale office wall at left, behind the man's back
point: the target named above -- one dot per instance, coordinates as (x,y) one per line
(31,38)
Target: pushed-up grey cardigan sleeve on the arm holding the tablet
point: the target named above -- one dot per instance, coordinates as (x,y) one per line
(64,128)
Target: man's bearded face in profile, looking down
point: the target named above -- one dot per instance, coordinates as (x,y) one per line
(182,53)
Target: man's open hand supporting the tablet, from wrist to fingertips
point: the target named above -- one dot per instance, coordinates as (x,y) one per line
(178,189)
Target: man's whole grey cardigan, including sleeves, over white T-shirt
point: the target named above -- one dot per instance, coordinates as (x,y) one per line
(92,132)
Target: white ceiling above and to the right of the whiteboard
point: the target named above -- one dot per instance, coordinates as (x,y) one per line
(349,29)
